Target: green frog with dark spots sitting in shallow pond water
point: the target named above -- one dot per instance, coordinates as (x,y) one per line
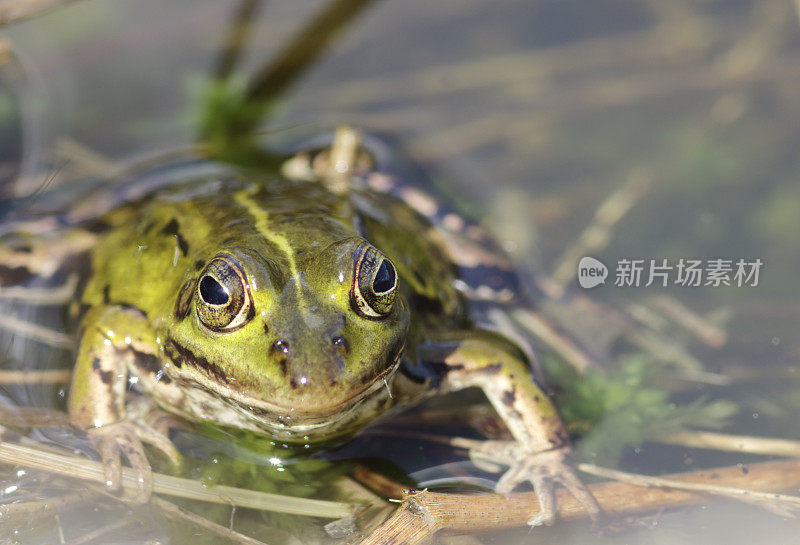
(303,307)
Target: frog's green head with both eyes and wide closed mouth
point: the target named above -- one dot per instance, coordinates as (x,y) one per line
(302,338)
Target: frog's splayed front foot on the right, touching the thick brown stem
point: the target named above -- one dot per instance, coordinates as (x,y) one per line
(542,469)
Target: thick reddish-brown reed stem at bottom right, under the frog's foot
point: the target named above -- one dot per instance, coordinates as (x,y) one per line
(424,513)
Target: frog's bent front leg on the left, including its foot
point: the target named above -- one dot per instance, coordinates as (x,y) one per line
(111,339)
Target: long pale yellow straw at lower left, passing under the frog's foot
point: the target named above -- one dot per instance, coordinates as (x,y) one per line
(80,468)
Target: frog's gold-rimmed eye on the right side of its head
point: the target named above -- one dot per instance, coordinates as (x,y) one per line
(374,283)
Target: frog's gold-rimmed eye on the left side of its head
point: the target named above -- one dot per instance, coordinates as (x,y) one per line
(223,297)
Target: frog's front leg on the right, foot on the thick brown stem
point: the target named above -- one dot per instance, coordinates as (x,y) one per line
(541,450)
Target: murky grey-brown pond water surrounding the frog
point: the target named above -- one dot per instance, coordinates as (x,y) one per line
(529,116)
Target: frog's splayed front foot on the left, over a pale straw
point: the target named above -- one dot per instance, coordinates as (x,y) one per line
(113,441)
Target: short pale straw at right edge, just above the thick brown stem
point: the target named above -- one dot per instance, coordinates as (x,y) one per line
(735,443)
